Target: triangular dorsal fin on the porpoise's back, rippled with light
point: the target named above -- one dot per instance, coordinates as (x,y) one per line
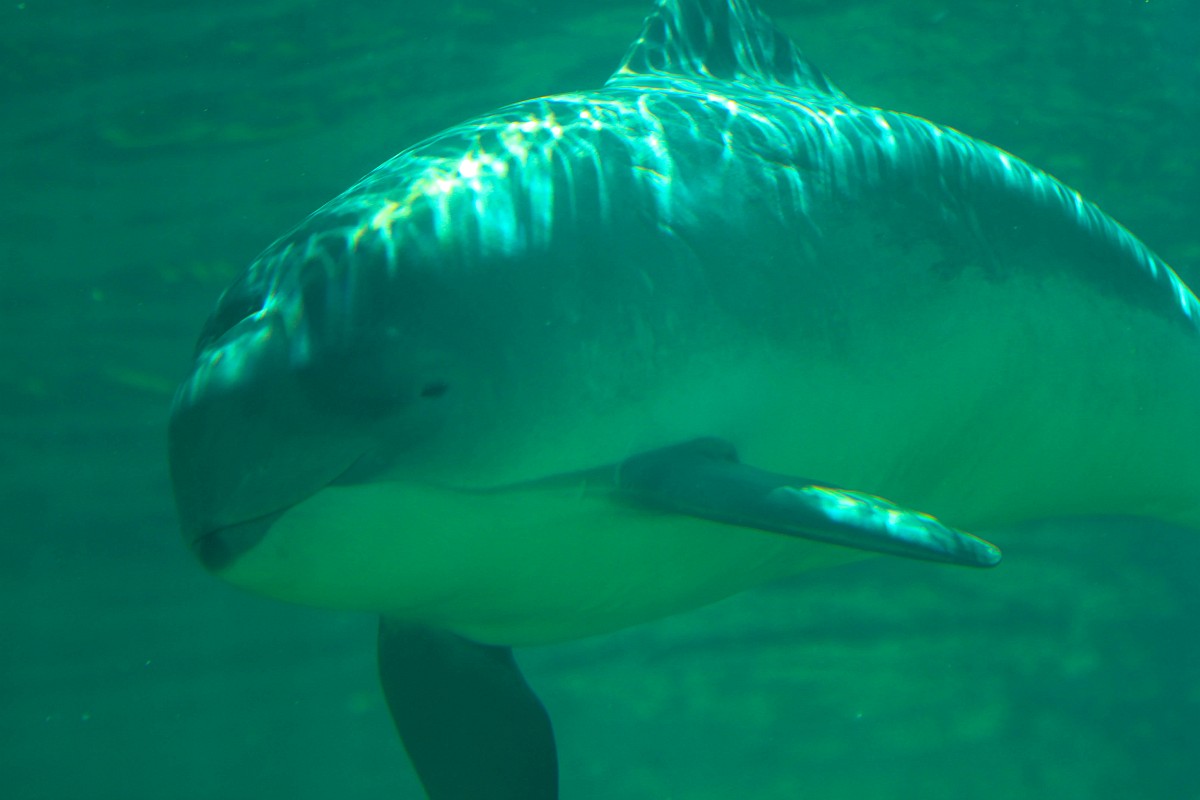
(728,40)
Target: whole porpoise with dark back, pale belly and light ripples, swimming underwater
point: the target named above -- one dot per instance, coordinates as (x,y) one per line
(599,358)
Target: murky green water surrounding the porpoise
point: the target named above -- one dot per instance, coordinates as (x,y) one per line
(148,151)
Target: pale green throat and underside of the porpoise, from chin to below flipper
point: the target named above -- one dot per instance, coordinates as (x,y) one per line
(520,568)
